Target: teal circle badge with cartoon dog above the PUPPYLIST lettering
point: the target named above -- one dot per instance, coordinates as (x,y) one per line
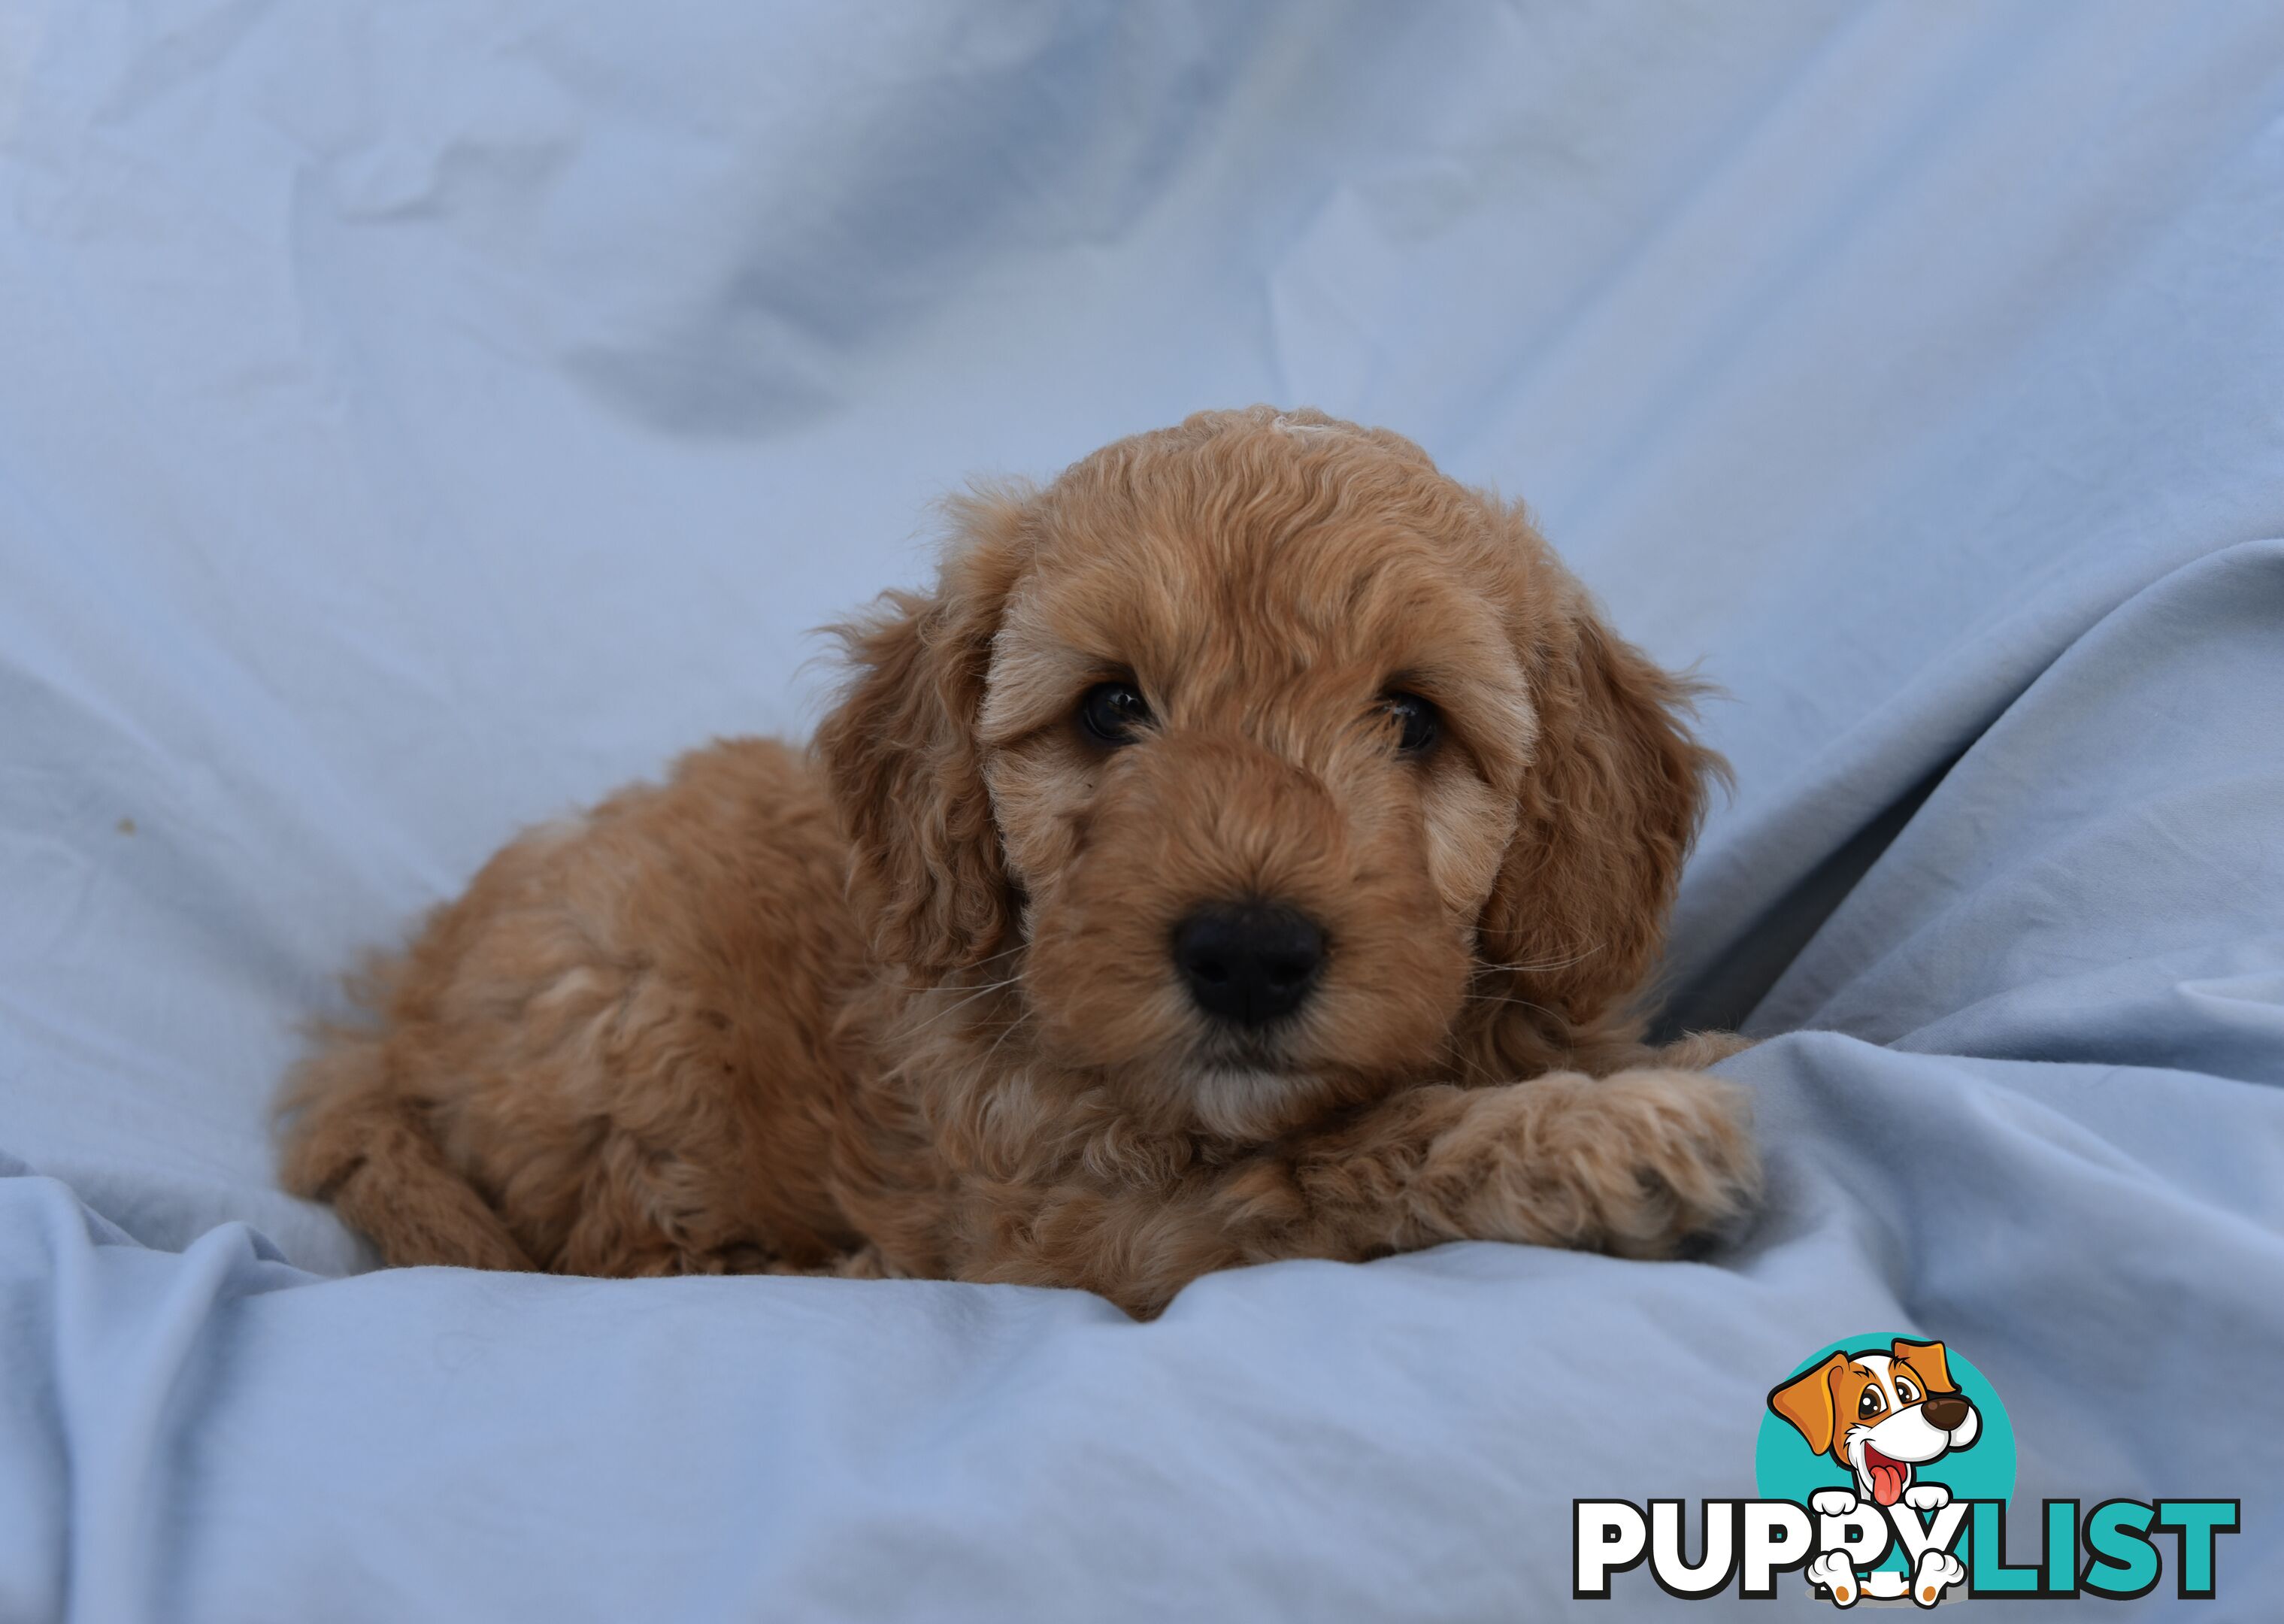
(1821,1426)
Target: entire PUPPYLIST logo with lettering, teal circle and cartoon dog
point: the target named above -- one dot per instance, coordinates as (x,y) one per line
(1885,1470)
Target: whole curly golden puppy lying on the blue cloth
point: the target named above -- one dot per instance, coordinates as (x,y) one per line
(1253,849)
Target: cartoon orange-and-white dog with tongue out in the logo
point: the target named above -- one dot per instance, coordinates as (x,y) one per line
(1883,1417)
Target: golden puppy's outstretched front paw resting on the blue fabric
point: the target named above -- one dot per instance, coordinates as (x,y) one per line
(1639,1164)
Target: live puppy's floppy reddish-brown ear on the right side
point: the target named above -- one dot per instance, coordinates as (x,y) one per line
(1609,807)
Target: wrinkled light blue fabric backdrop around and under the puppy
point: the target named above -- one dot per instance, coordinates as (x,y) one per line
(419,419)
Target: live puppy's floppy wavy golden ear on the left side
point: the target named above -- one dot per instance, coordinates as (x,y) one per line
(901,750)
